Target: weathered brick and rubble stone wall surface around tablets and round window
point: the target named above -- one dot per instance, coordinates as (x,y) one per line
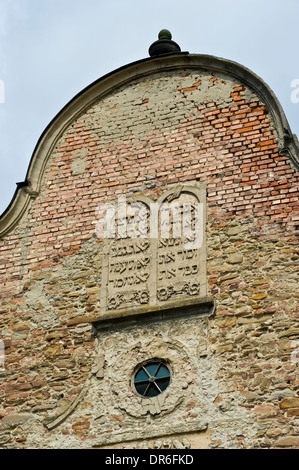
(235,372)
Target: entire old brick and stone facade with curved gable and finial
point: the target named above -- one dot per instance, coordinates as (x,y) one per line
(118,334)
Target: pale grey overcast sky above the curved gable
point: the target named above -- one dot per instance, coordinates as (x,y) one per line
(51,49)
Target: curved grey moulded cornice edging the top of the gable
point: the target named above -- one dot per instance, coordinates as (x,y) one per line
(143,70)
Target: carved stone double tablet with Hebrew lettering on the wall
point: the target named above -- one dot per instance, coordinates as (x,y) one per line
(154,253)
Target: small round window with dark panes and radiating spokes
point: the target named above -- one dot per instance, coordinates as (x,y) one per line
(151,379)
